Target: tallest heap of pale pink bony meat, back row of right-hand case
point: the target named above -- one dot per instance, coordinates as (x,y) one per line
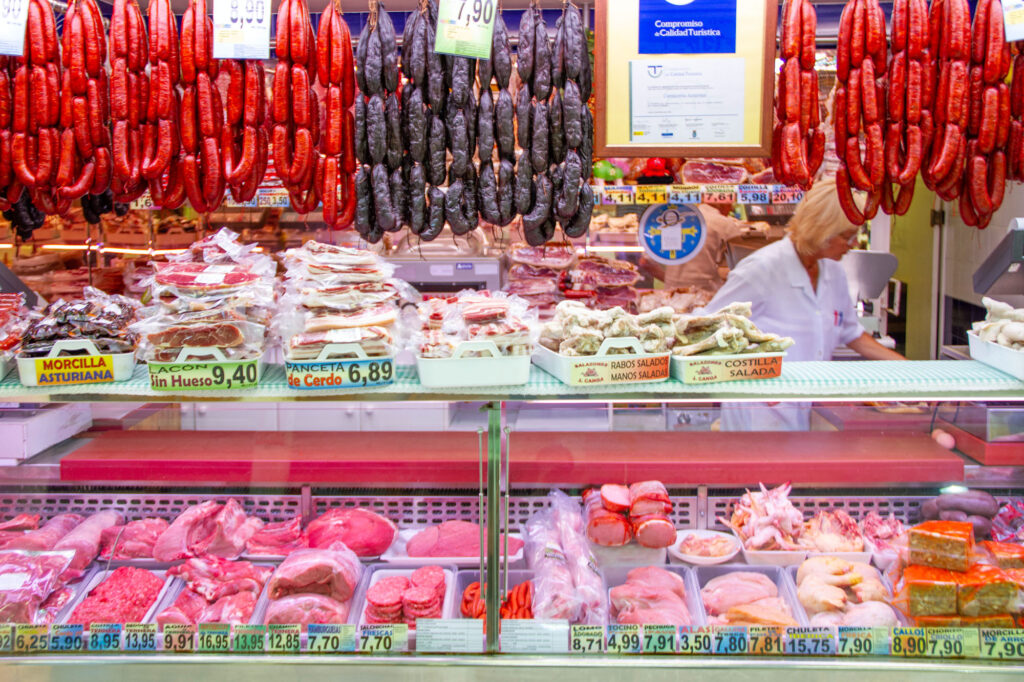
(767,521)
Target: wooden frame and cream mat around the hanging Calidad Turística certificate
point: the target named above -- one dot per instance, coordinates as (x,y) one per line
(612,90)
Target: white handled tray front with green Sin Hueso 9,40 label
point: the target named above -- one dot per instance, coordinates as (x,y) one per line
(188,374)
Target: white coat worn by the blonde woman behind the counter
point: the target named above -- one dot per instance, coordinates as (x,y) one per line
(784,302)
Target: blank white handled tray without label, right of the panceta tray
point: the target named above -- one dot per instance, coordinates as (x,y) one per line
(458,372)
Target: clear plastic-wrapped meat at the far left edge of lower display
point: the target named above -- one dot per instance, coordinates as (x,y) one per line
(27,581)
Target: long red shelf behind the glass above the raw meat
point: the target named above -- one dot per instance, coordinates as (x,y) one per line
(451,459)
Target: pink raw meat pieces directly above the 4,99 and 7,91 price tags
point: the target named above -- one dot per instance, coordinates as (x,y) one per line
(651,596)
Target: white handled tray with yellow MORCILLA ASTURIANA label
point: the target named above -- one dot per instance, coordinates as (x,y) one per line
(94,368)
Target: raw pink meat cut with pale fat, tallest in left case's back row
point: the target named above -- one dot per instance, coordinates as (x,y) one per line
(210,528)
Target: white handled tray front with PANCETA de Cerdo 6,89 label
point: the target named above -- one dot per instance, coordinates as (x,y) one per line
(340,366)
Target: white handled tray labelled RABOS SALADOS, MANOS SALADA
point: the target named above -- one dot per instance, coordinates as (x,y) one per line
(598,370)
